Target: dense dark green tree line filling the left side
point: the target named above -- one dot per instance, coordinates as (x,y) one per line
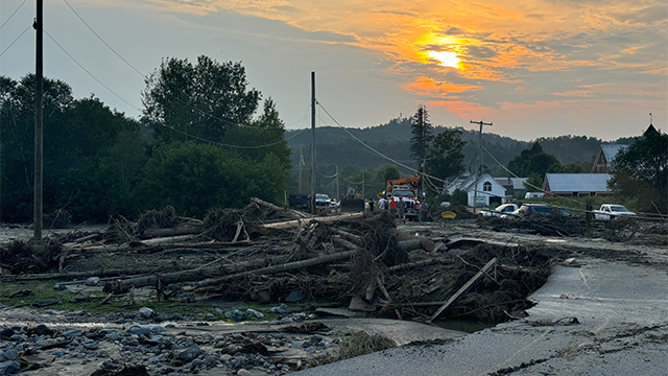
(99,162)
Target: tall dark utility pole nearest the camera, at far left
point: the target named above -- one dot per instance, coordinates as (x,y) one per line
(39,122)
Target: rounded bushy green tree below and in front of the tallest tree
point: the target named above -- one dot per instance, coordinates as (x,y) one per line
(196,177)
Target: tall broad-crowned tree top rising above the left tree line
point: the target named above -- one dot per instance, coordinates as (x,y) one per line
(185,101)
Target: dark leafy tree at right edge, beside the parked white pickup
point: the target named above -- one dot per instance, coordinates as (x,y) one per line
(640,172)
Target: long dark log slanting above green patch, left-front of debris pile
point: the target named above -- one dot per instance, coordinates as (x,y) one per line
(191,275)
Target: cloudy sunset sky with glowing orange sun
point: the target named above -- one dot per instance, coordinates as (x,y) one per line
(533,67)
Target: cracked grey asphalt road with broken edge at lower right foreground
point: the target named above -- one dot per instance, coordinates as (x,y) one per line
(622,329)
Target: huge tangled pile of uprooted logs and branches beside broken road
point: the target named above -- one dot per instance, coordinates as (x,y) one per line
(266,254)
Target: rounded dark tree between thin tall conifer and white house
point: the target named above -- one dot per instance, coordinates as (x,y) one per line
(445,157)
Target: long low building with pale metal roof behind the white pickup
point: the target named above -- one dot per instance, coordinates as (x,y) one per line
(576,185)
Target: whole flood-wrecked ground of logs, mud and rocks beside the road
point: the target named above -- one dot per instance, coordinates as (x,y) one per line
(248,291)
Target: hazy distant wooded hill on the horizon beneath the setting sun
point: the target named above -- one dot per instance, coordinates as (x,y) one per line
(336,147)
